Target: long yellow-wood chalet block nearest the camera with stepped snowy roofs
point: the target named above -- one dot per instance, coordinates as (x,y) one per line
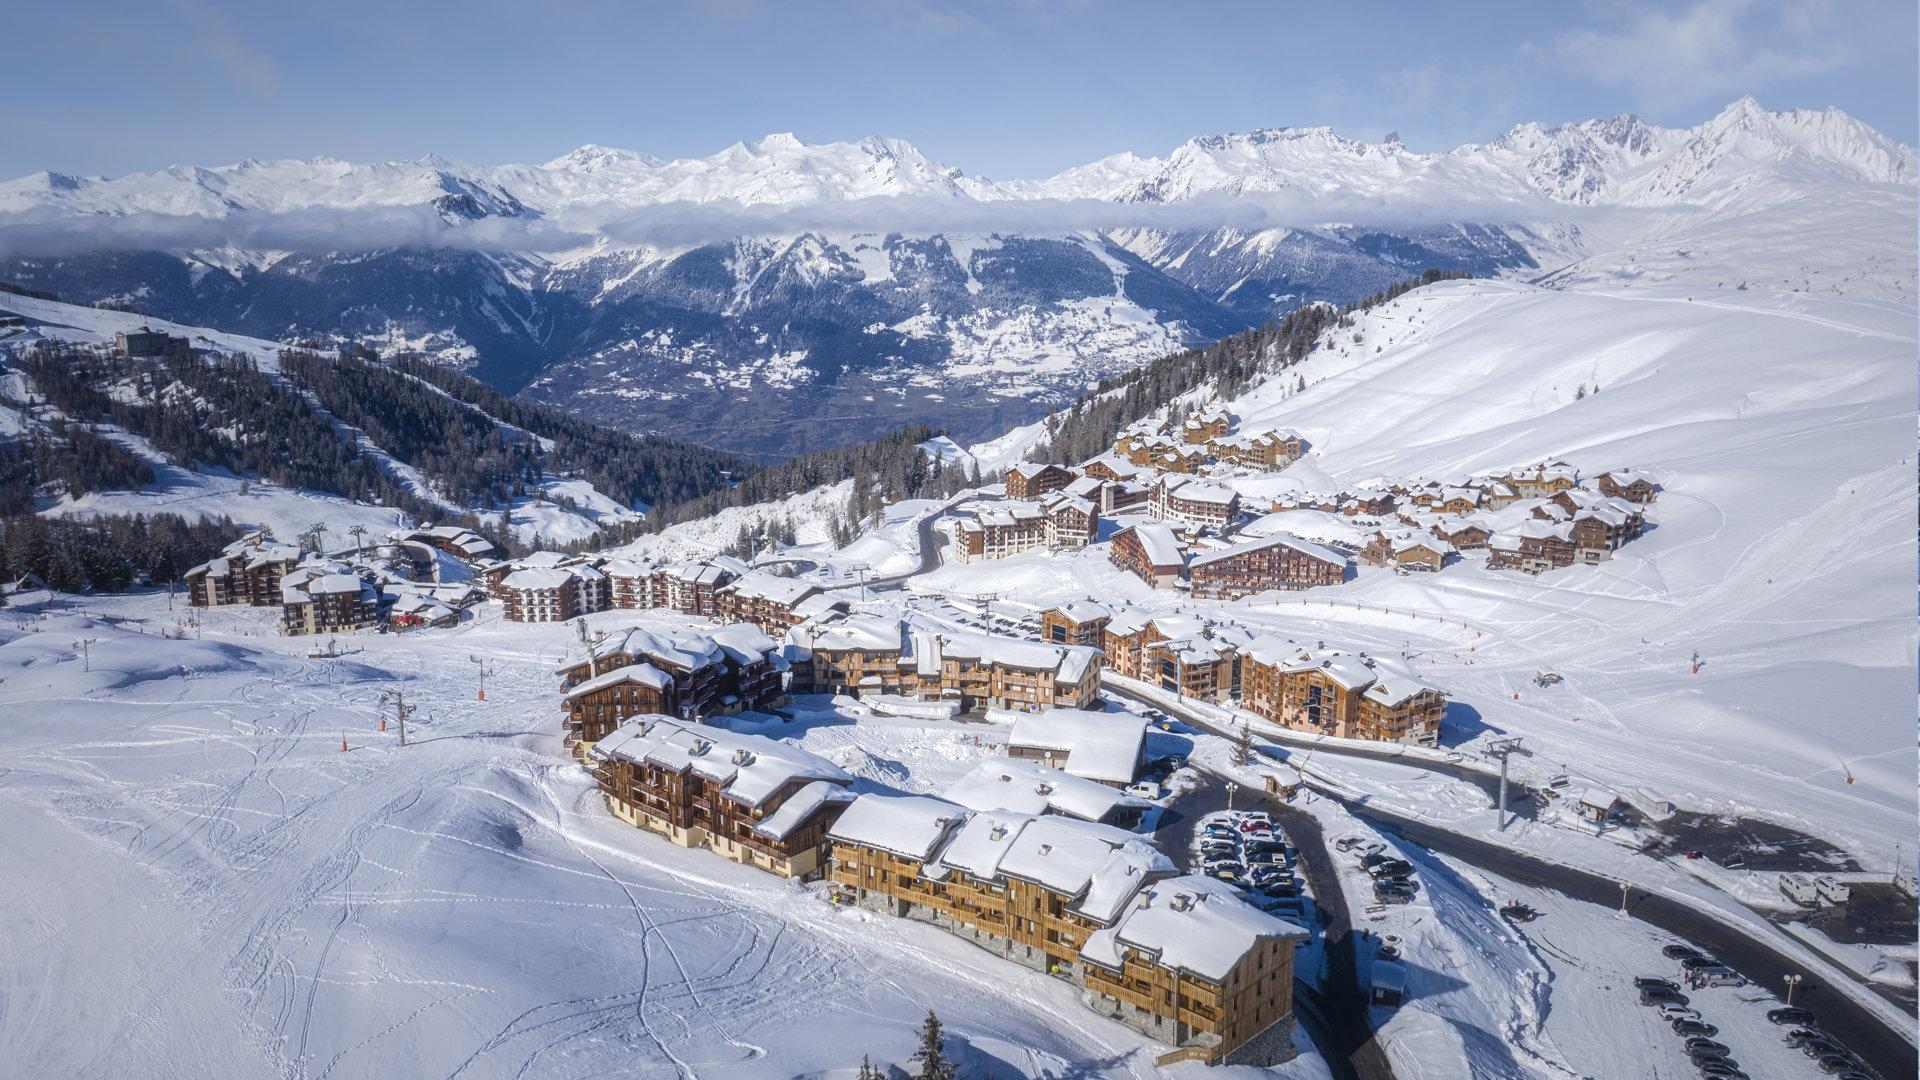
(1182,960)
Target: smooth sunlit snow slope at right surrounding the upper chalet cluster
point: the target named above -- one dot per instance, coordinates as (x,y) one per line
(1781,549)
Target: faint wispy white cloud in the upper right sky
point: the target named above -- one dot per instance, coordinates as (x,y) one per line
(1710,51)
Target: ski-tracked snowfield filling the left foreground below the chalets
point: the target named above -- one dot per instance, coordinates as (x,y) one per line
(210,887)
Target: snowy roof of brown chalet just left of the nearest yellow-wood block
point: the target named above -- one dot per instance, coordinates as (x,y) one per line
(748,768)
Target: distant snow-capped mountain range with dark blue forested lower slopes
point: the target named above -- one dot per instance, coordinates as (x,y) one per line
(779,297)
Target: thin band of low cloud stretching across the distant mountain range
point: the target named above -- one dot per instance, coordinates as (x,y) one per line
(45,233)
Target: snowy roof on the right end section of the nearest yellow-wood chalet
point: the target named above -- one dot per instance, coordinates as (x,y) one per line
(1197,925)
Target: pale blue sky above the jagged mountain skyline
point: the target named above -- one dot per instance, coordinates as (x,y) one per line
(1003,89)
